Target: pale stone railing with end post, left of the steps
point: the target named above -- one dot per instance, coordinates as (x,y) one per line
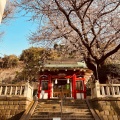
(23,90)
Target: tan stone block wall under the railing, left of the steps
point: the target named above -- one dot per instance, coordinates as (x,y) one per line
(12,108)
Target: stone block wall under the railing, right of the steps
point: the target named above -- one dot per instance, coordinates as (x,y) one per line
(107,108)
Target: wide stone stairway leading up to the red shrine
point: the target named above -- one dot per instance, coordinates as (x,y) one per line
(70,110)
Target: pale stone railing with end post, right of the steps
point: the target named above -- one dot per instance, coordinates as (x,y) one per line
(105,90)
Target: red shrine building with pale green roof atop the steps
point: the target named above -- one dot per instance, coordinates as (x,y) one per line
(63,79)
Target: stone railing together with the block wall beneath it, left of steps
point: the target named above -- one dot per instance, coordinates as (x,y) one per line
(14,100)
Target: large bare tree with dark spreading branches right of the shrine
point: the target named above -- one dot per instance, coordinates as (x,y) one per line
(90,26)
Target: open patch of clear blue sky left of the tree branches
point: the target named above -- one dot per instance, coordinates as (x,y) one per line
(14,40)
